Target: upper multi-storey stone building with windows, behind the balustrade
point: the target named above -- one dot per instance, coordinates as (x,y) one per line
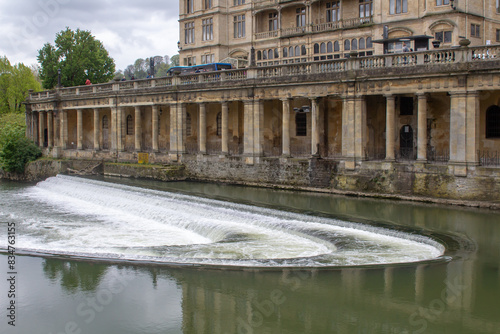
(284,32)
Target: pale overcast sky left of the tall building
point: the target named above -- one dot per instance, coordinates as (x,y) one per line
(129,29)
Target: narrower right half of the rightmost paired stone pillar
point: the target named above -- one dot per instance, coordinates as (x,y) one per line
(473,131)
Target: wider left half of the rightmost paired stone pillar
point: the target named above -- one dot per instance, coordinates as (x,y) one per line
(458,132)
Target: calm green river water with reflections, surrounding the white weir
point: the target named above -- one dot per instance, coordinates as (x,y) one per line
(459,296)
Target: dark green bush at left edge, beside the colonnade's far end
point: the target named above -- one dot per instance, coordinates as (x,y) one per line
(15,149)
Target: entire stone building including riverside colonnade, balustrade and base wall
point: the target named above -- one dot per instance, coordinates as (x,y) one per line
(425,122)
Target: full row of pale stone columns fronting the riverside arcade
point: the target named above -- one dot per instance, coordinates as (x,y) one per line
(463,134)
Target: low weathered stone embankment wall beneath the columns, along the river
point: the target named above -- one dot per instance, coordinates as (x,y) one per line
(421,182)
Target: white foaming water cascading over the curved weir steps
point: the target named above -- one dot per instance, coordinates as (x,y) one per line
(81,217)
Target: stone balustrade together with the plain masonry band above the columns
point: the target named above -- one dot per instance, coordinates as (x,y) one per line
(366,70)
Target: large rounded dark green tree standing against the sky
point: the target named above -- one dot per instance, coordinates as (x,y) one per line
(79,56)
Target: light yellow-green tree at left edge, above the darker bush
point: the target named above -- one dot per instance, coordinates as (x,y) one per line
(15,82)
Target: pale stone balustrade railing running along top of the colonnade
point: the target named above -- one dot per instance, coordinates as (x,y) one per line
(401,60)
